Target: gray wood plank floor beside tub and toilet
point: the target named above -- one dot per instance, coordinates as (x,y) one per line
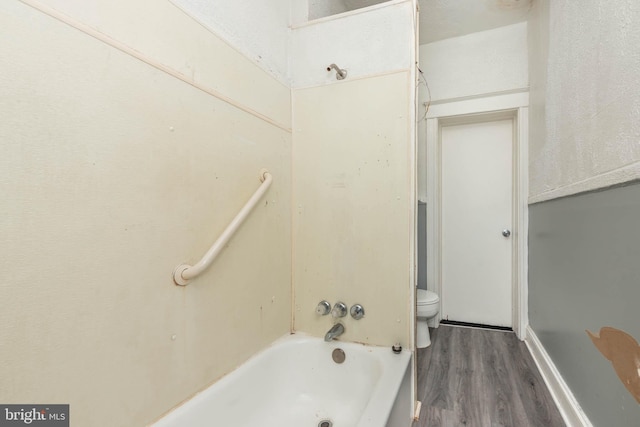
(481,378)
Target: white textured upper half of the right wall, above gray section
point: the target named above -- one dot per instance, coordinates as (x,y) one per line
(587,136)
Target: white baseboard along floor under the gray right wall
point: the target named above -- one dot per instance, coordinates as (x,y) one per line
(571,411)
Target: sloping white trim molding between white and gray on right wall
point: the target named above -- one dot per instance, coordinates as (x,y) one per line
(625,174)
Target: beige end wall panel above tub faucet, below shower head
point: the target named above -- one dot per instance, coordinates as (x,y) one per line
(352,206)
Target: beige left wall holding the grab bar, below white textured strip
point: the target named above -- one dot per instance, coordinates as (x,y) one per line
(112,173)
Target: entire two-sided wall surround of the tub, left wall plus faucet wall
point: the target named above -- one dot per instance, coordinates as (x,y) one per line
(132,136)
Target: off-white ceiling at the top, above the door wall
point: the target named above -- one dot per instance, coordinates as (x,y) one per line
(442,19)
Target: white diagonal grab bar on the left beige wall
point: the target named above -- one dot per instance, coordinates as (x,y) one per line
(185,272)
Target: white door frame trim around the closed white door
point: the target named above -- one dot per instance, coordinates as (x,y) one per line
(475,110)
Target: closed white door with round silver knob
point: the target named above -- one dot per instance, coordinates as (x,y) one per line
(476,219)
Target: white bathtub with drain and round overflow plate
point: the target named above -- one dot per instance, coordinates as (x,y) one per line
(296,383)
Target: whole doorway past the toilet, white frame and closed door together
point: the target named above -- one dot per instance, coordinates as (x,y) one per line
(456,118)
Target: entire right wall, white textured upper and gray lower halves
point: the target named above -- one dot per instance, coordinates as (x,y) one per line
(583,270)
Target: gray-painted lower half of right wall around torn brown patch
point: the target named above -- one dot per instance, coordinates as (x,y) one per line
(584,273)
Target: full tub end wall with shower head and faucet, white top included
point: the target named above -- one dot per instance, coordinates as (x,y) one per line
(353,173)
